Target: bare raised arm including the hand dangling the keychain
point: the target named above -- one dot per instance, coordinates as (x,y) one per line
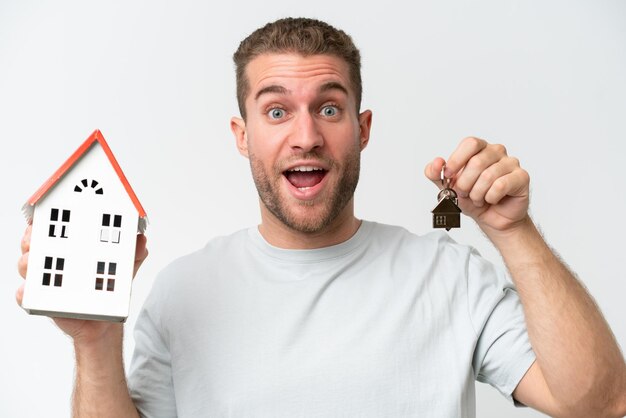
(579,370)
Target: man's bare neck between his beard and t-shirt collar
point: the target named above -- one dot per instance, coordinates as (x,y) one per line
(280,235)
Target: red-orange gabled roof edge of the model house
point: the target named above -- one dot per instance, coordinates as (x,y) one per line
(96,136)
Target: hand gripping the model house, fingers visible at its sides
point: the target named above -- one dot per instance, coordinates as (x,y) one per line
(80,330)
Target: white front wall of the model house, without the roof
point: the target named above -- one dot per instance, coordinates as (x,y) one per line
(82,249)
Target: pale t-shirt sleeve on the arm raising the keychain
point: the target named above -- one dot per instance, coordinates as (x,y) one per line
(503,353)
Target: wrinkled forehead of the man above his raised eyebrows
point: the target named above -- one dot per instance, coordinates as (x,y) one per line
(276,72)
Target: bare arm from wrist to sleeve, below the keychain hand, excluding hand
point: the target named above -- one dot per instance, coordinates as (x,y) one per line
(579,370)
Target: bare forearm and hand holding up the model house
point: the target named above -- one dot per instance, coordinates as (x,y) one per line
(100,387)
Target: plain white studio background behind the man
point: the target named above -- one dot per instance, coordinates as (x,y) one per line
(547,79)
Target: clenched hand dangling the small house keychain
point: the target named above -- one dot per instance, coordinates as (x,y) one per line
(492,187)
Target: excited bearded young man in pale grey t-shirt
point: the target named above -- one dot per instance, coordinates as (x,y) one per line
(317,313)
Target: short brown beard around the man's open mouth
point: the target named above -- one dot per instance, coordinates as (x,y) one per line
(268,190)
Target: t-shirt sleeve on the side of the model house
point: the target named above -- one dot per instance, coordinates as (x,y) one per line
(150,377)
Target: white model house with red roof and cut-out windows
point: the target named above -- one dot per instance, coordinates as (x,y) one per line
(85,221)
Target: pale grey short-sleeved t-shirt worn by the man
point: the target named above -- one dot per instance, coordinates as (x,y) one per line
(386,324)
